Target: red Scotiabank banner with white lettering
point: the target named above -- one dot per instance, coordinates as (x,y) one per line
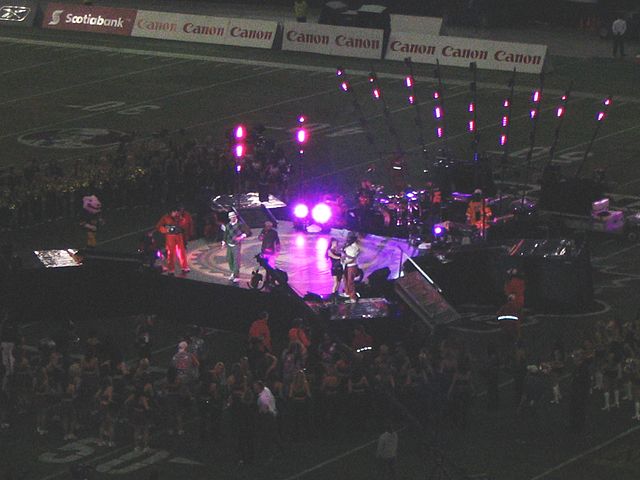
(116,21)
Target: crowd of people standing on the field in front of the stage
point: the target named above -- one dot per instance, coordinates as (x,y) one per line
(303,386)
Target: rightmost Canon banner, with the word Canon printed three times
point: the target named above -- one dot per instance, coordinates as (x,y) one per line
(459,52)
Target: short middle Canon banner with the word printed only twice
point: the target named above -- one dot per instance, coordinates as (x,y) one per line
(332,40)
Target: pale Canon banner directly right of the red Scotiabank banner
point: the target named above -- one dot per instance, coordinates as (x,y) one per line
(204,29)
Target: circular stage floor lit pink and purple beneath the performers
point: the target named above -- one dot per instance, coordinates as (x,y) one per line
(302,256)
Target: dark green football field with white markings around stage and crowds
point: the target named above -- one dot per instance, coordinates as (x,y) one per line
(66,96)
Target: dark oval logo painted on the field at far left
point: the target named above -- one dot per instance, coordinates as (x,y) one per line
(71,138)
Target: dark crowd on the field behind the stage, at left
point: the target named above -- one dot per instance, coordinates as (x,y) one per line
(157,170)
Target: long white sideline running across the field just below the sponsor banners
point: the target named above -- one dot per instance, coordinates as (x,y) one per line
(285,65)
